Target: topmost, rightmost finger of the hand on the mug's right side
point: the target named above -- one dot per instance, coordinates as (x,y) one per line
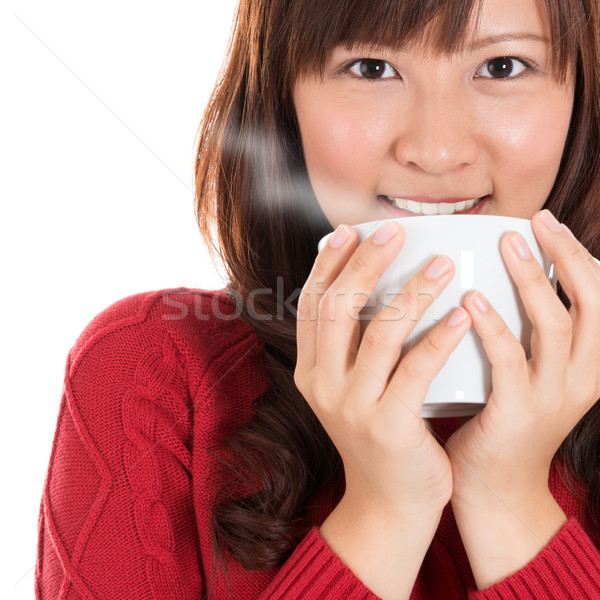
(579,277)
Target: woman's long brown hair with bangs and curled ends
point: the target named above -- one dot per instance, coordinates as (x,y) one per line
(257,210)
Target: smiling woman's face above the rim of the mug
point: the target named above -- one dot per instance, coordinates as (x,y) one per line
(399,132)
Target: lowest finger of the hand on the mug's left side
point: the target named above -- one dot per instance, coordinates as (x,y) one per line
(409,384)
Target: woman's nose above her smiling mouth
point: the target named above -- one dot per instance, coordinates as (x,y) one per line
(438,134)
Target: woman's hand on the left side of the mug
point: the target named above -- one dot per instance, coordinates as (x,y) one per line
(368,400)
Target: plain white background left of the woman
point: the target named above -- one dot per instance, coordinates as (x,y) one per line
(99,108)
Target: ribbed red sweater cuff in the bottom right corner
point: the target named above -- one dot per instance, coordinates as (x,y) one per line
(568,567)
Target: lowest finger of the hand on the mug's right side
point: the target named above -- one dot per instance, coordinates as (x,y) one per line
(506,355)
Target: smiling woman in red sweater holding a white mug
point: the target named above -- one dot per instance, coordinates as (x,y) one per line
(229,445)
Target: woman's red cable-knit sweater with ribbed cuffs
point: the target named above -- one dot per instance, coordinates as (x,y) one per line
(151,384)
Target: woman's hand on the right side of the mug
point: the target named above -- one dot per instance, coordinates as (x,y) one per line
(504,453)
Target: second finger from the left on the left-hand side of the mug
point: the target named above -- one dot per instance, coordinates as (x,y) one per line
(339,309)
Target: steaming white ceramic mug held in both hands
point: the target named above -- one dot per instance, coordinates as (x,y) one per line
(463,385)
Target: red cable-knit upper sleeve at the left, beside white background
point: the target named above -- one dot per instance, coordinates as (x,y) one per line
(117,517)
